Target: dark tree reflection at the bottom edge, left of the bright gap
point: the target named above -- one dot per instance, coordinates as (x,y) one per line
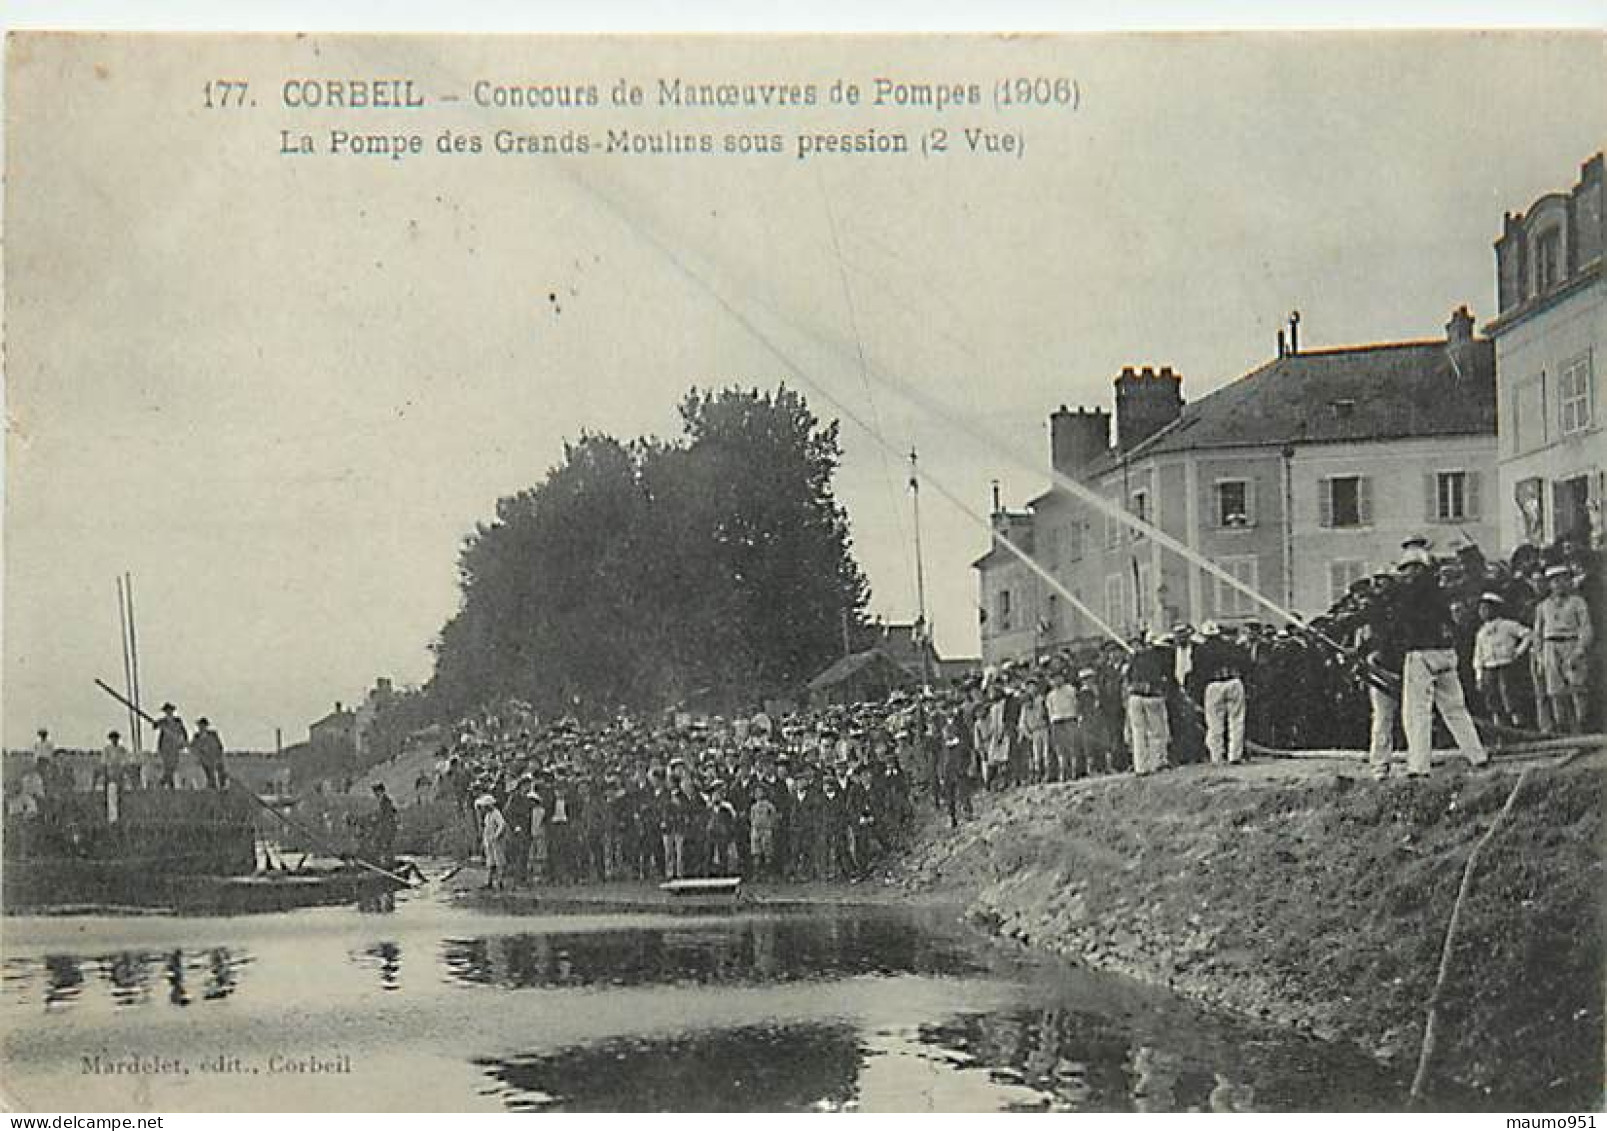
(759,1068)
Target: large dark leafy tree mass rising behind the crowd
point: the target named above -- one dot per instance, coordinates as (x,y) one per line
(713,571)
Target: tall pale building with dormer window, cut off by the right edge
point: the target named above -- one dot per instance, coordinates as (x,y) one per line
(1550,330)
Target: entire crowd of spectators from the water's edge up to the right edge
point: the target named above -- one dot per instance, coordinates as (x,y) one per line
(825,793)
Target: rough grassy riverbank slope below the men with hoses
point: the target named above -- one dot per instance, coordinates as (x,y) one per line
(1307,896)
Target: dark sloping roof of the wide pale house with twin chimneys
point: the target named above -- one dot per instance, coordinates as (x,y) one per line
(1343,396)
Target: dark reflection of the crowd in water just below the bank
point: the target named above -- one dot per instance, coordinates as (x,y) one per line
(746,952)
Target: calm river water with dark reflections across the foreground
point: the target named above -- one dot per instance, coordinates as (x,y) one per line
(431,1006)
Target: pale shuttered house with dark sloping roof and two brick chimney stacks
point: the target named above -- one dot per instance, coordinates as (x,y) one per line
(1298,480)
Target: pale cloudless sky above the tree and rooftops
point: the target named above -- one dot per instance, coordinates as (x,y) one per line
(280,391)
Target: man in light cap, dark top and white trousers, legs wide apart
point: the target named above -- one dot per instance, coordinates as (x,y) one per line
(1421,621)
